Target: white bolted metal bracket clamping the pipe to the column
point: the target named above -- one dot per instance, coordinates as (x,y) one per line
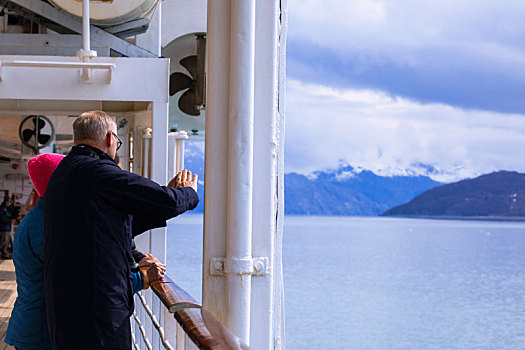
(238,266)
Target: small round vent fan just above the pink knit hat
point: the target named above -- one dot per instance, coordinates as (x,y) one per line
(36,132)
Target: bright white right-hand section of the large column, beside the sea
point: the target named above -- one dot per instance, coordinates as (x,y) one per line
(267,317)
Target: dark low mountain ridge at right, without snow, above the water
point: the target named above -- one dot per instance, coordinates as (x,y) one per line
(498,194)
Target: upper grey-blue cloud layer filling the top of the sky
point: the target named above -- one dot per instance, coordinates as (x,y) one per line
(468,54)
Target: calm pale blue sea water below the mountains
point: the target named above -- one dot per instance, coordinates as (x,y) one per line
(381,283)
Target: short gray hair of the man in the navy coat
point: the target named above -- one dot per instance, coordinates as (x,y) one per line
(92,125)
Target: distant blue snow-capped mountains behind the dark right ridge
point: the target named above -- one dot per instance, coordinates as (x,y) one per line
(345,191)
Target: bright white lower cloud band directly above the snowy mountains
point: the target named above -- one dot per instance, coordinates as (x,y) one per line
(393,135)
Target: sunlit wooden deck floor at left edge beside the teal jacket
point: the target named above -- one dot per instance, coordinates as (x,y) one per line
(7,298)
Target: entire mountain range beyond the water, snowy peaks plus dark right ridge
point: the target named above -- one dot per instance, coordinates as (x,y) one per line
(348,191)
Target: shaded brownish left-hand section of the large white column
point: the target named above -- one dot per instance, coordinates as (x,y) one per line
(216,159)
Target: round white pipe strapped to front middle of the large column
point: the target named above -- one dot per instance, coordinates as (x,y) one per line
(240,175)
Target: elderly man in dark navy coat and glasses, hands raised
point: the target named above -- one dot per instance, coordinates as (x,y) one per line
(92,210)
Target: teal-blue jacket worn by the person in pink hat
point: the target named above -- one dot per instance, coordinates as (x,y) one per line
(28,325)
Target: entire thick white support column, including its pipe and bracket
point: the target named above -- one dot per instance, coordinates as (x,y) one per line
(244,148)
